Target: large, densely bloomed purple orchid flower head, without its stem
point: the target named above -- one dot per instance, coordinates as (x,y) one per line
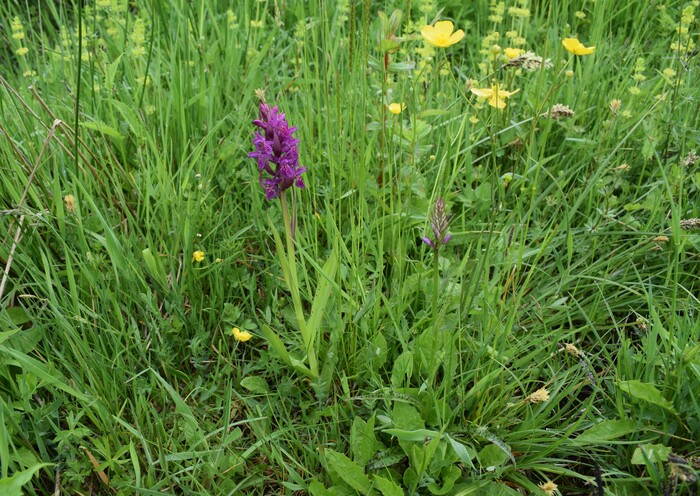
(277,153)
